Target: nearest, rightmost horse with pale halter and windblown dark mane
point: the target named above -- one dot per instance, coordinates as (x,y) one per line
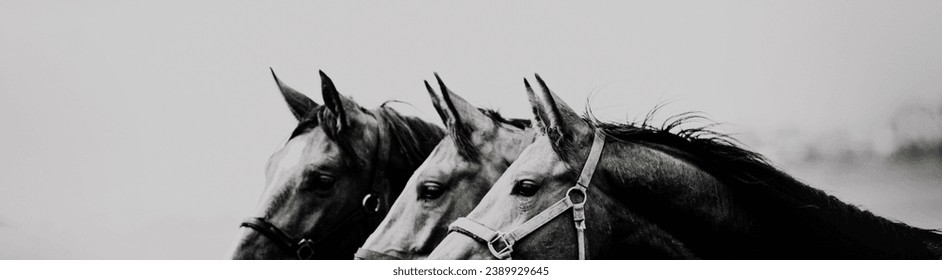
(636,191)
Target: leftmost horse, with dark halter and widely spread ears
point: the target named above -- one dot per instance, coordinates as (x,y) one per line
(334,180)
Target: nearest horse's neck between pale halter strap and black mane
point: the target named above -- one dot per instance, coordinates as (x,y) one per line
(658,184)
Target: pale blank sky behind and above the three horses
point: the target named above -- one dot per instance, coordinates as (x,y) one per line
(141,130)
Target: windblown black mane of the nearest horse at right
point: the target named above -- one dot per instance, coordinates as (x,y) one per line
(780,204)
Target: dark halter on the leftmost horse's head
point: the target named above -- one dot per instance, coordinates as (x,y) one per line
(303,247)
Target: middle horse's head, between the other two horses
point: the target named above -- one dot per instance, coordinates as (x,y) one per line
(479,146)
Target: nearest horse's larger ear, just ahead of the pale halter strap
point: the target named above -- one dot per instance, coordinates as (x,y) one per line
(561,122)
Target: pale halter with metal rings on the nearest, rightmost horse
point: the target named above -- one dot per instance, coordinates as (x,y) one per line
(500,243)
